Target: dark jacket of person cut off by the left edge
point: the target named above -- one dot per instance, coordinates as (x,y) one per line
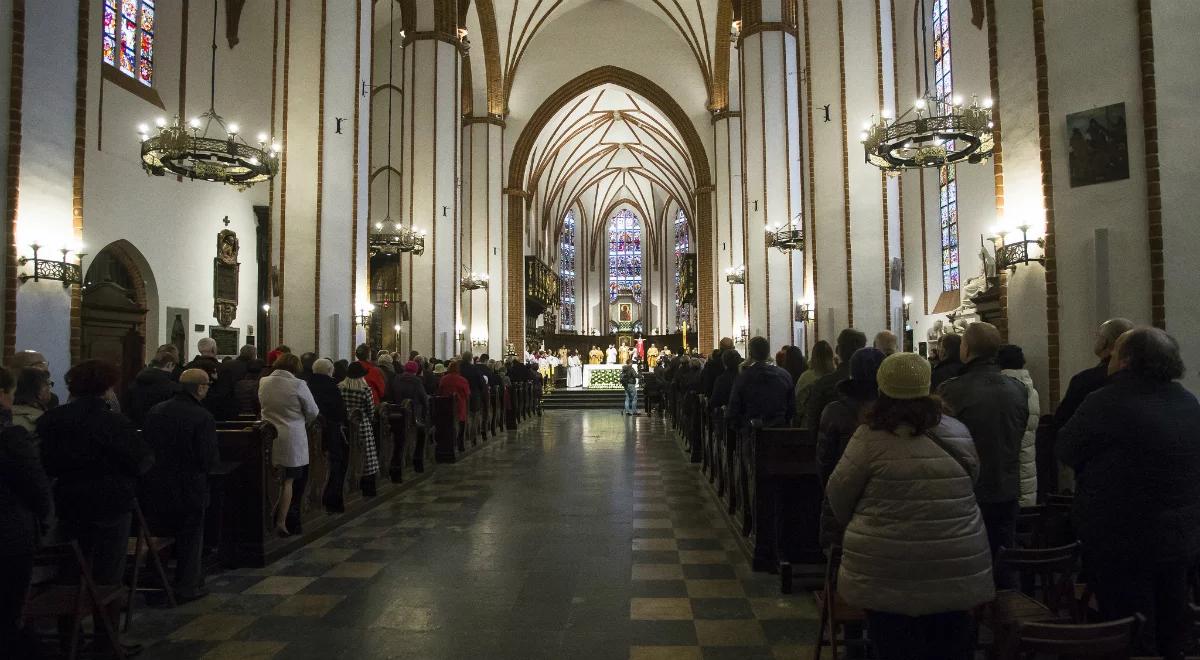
(25,494)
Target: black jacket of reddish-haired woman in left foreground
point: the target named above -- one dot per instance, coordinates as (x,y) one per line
(97,455)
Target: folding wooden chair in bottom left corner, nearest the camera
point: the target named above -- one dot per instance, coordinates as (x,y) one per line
(73,593)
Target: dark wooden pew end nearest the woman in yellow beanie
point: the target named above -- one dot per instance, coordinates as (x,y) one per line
(785,497)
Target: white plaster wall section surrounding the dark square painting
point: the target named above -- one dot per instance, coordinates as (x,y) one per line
(1108,34)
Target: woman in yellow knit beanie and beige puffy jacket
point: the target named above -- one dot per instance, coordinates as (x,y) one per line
(915,554)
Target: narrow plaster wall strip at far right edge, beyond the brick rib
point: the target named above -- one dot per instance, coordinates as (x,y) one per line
(1177,52)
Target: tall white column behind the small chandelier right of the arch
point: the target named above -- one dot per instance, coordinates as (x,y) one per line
(771,133)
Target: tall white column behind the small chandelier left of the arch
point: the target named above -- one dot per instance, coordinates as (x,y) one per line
(433,134)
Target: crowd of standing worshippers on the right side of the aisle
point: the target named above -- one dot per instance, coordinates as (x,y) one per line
(926,467)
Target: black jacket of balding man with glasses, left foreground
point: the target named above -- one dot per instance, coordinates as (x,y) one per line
(184,439)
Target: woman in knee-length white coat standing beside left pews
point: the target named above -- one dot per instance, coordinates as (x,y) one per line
(290,407)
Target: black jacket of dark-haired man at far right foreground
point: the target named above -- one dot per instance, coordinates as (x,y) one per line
(1136,447)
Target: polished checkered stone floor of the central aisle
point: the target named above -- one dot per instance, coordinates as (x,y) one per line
(587,535)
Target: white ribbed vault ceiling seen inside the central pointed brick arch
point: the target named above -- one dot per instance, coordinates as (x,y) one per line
(604,147)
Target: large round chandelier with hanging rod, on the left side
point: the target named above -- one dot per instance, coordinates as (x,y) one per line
(193,153)
